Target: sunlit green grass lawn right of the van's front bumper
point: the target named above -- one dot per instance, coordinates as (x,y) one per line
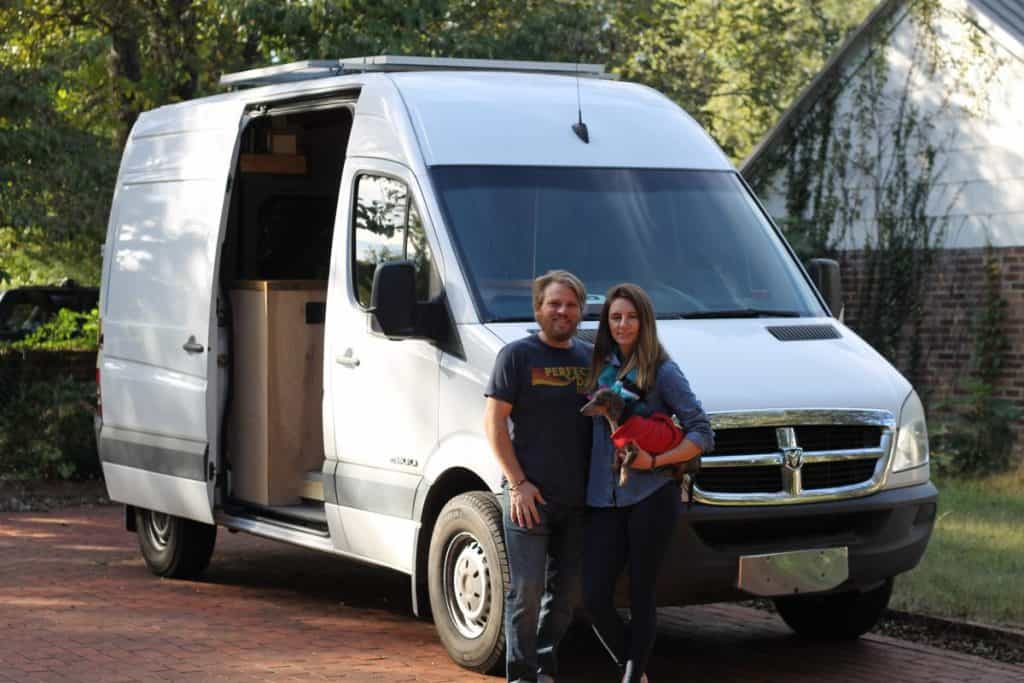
(974,567)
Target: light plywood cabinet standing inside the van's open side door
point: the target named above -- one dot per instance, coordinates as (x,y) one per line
(277,426)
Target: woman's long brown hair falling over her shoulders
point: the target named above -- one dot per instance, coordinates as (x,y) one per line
(648,355)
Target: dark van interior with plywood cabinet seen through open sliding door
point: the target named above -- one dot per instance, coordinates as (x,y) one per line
(275,266)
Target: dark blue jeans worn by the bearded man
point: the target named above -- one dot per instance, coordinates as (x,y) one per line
(545,564)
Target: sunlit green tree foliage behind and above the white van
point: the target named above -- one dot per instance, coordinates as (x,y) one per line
(75,74)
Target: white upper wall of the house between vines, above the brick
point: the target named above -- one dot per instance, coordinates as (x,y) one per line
(980,136)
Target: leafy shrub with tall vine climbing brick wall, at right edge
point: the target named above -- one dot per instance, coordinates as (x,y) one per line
(974,435)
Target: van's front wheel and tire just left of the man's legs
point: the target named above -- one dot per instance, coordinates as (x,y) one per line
(467,579)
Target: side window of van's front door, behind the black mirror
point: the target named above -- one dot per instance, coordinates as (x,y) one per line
(389,228)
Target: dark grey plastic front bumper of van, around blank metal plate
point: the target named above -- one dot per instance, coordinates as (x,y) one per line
(886,534)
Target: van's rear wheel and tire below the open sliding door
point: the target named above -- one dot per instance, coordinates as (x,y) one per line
(175,547)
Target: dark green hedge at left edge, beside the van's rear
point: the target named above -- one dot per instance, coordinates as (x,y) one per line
(47,426)
